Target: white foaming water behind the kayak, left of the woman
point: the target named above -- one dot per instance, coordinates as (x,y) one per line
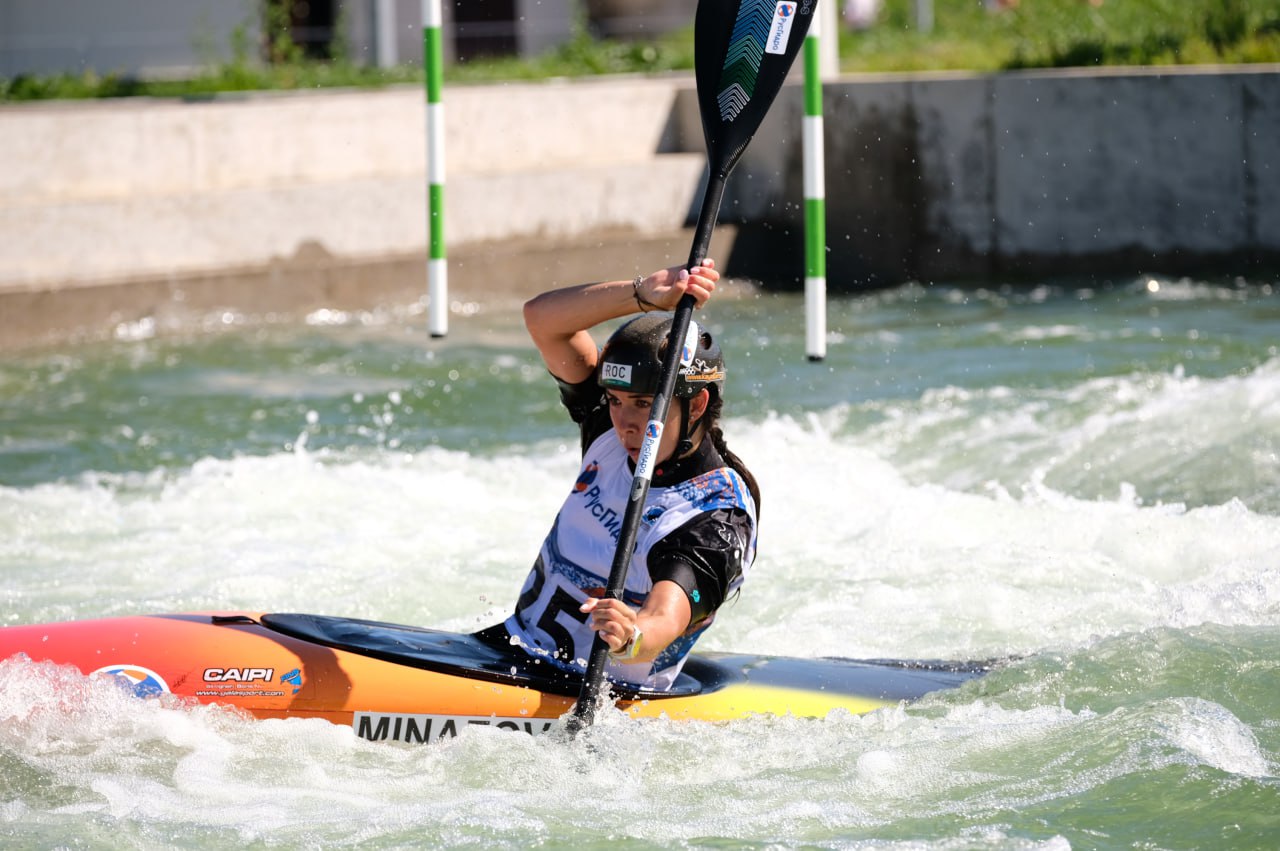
(413,537)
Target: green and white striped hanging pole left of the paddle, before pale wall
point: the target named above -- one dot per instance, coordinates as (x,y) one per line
(437,266)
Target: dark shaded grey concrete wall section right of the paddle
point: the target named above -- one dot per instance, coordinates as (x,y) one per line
(1031,175)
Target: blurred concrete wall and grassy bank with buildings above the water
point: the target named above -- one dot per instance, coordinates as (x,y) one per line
(271,155)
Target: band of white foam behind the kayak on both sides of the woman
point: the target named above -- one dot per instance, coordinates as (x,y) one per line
(854,559)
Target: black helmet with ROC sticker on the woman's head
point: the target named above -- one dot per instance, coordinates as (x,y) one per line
(632,360)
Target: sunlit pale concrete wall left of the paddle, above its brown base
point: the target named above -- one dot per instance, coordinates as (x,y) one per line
(109,191)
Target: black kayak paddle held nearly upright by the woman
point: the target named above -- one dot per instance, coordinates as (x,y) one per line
(743,53)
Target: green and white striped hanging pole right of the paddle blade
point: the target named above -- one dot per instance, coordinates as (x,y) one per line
(815,200)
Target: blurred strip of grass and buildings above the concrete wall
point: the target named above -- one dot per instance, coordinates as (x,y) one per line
(90,48)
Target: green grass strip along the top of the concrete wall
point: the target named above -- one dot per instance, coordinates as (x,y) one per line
(1037,34)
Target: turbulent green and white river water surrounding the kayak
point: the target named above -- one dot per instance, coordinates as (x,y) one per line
(1084,482)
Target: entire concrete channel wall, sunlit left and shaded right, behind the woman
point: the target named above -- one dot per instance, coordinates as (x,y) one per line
(930,179)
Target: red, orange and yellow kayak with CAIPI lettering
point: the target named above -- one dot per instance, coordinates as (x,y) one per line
(406,684)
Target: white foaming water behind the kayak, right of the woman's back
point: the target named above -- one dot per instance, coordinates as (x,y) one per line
(856,561)
